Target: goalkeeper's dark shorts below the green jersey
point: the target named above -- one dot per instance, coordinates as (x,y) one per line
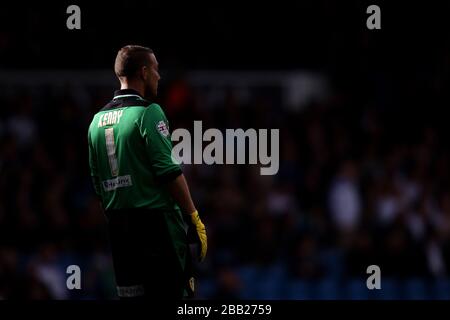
(144,258)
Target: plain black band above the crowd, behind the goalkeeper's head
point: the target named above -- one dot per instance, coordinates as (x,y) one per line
(312,34)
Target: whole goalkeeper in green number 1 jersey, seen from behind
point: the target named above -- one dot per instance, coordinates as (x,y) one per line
(142,189)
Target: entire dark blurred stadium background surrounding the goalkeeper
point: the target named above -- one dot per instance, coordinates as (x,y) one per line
(382,131)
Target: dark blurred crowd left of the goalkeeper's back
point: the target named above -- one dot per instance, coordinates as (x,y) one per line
(49,219)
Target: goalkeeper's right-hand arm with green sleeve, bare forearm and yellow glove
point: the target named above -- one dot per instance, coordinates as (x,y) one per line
(155,130)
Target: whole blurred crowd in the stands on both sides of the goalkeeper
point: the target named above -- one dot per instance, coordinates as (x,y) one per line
(351,192)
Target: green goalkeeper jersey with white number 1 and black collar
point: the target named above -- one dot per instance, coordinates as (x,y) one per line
(130,154)
